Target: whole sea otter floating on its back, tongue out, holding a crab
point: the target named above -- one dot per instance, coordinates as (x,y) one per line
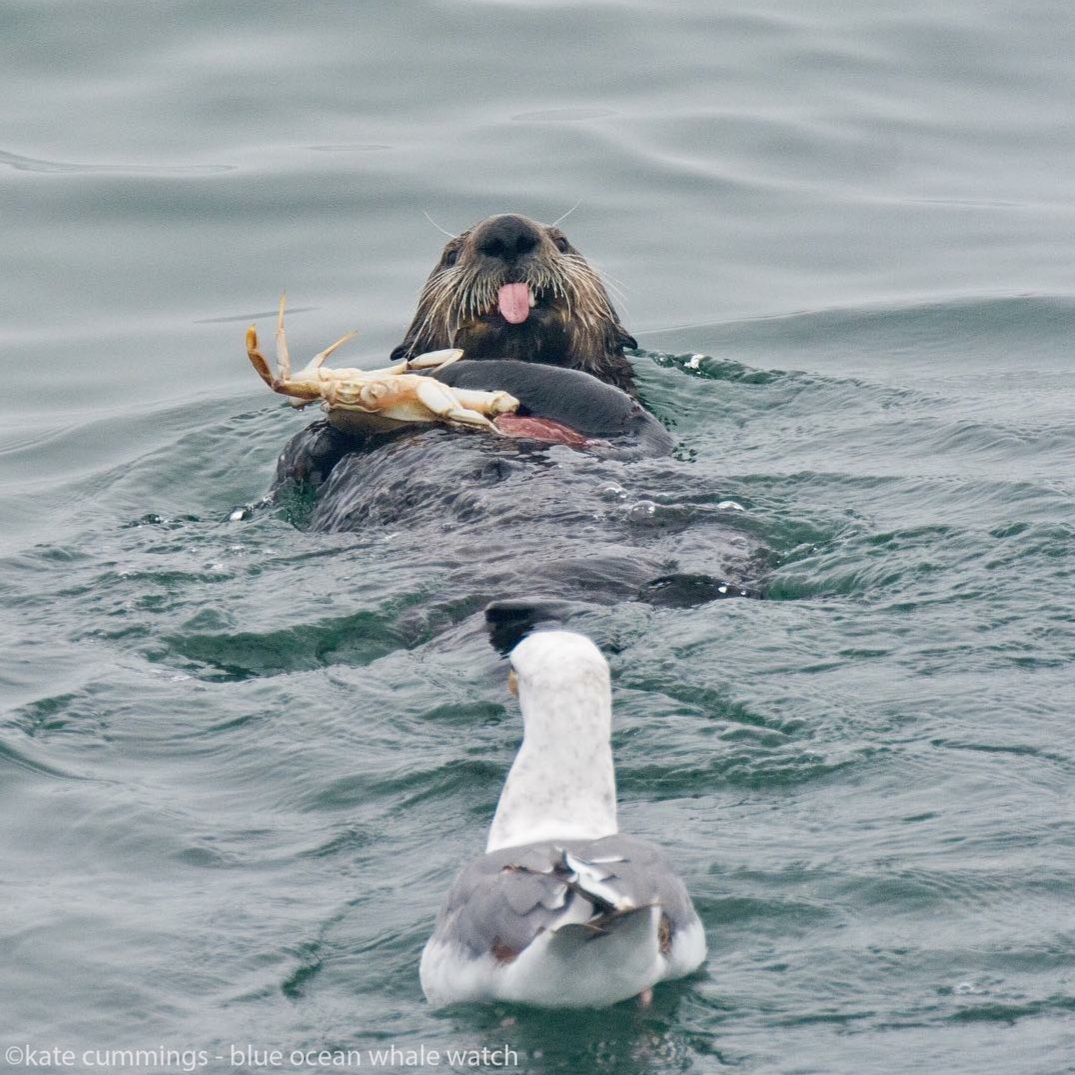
(508,518)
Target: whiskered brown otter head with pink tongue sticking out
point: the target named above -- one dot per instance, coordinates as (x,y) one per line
(512,289)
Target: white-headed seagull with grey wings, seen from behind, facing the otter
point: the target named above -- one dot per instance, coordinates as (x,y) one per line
(563,910)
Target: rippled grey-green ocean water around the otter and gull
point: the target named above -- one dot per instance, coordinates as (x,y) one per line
(240,763)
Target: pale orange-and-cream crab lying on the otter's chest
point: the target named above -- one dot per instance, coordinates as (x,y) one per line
(376,402)
